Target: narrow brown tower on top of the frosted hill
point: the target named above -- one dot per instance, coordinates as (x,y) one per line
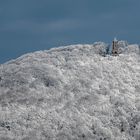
(115,47)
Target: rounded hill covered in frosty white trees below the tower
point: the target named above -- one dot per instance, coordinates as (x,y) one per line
(71,93)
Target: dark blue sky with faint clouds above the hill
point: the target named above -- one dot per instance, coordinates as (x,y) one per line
(30,25)
